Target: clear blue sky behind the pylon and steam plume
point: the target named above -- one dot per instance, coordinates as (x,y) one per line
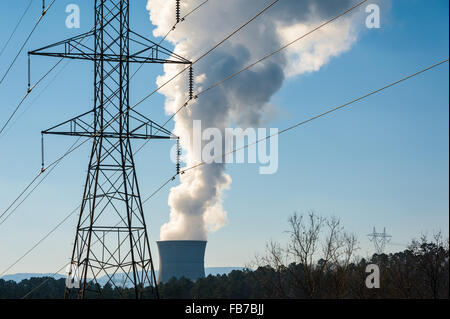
(382,162)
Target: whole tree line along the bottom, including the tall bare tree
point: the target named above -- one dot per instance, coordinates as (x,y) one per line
(320,261)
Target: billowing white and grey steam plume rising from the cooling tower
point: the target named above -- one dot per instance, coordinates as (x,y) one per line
(196,204)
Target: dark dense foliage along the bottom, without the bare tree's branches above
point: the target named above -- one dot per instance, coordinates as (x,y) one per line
(422,271)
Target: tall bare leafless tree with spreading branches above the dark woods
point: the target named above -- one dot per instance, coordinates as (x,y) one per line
(317,246)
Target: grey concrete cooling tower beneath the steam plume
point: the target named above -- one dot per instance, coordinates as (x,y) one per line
(181,258)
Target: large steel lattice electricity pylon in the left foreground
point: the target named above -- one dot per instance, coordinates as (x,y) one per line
(111,238)
